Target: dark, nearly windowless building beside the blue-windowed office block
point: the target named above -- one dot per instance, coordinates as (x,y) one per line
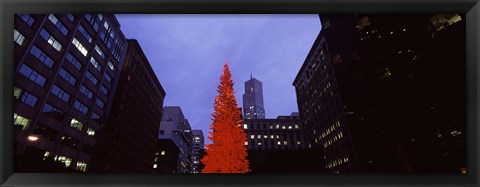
(128,141)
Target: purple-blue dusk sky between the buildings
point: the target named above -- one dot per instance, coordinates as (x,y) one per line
(187,53)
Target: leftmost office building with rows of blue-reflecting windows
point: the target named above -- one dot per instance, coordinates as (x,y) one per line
(66,71)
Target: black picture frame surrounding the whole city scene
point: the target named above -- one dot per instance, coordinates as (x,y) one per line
(10,7)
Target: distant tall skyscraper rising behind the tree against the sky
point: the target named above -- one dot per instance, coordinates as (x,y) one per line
(253,100)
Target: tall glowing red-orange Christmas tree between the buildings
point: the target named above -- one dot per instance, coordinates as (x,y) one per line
(227,153)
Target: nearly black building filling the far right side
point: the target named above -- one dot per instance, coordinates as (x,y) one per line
(404,100)
